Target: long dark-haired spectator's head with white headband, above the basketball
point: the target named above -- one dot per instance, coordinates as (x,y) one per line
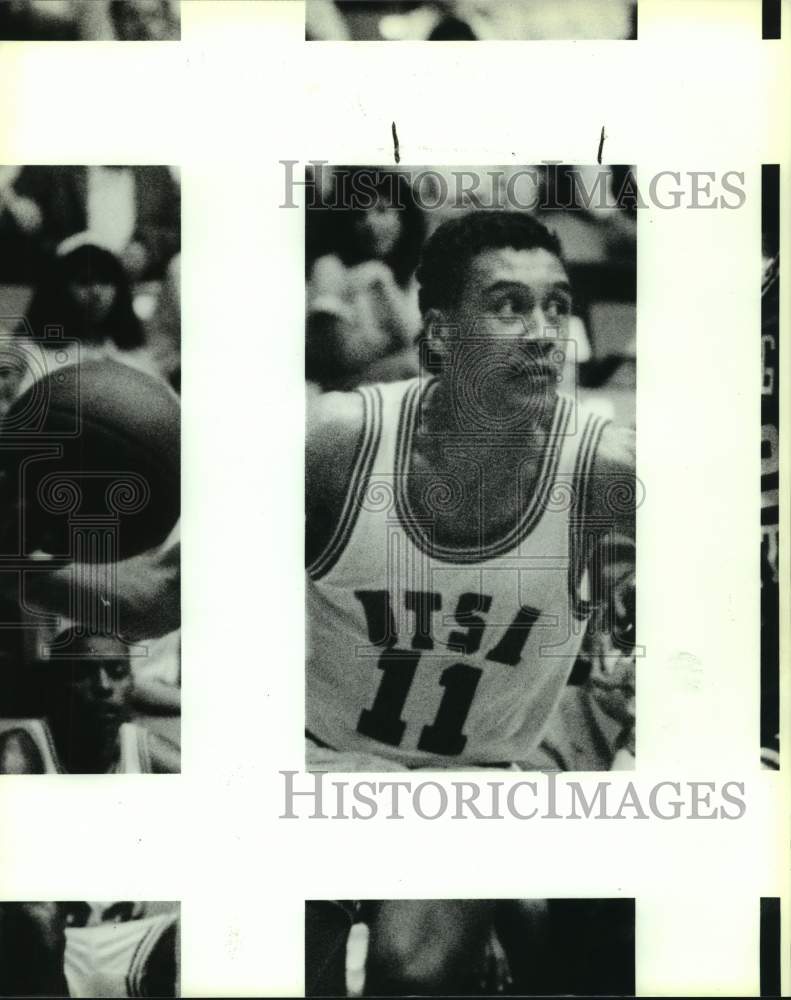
(86,293)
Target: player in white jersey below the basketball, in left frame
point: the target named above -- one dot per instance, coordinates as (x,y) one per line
(87,726)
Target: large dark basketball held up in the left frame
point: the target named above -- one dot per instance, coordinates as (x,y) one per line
(89,456)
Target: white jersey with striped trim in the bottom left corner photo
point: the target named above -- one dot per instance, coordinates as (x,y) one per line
(109,960)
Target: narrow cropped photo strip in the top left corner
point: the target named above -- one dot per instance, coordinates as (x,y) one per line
(90,20)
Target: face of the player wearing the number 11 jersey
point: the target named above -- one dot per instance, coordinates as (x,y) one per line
(513,314)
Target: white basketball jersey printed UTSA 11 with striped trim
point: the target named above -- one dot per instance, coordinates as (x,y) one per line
(444,657)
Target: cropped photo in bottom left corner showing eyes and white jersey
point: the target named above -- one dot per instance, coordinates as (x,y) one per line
(89,949)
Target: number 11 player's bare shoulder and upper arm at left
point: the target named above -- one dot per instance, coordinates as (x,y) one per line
(334,430)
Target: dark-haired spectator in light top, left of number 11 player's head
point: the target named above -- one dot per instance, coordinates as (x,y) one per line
(362,313)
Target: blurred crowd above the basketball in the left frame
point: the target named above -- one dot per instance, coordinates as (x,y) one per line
(94,251)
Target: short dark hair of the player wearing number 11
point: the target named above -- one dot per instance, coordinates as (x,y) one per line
(446,255)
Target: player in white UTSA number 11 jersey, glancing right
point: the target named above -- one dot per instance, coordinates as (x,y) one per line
(458,524)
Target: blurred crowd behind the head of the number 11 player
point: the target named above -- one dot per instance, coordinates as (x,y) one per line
(363,321)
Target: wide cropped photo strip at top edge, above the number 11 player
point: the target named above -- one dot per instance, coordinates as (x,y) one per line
(469,20)
